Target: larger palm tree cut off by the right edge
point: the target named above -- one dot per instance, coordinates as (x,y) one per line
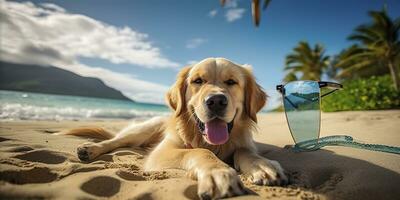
(378,46)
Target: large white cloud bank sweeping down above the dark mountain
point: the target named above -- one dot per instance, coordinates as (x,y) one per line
(46,34)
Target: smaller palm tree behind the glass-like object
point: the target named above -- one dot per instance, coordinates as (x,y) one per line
(308,62)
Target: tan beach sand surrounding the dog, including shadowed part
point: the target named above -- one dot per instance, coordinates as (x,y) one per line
(34,164)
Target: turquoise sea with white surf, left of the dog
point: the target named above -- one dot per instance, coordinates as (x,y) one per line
(34,106)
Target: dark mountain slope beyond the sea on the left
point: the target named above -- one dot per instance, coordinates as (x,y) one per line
(53,80)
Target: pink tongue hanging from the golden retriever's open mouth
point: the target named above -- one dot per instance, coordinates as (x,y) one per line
(216,131)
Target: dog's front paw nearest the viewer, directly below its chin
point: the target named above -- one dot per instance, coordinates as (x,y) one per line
(218,183)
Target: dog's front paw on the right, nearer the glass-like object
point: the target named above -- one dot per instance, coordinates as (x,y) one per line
(267,172)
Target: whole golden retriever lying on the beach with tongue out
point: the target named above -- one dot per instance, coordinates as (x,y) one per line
(214,104)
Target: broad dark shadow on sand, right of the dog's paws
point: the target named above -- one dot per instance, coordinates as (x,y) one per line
(336,176)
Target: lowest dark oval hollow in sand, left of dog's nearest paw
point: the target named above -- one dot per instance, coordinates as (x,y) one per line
(102,186)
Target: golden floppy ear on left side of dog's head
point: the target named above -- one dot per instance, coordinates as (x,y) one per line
(176,95)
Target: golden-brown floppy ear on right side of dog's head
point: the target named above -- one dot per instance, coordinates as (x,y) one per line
(255,97)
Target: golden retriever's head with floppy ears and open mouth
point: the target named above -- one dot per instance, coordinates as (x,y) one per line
(217,94)
